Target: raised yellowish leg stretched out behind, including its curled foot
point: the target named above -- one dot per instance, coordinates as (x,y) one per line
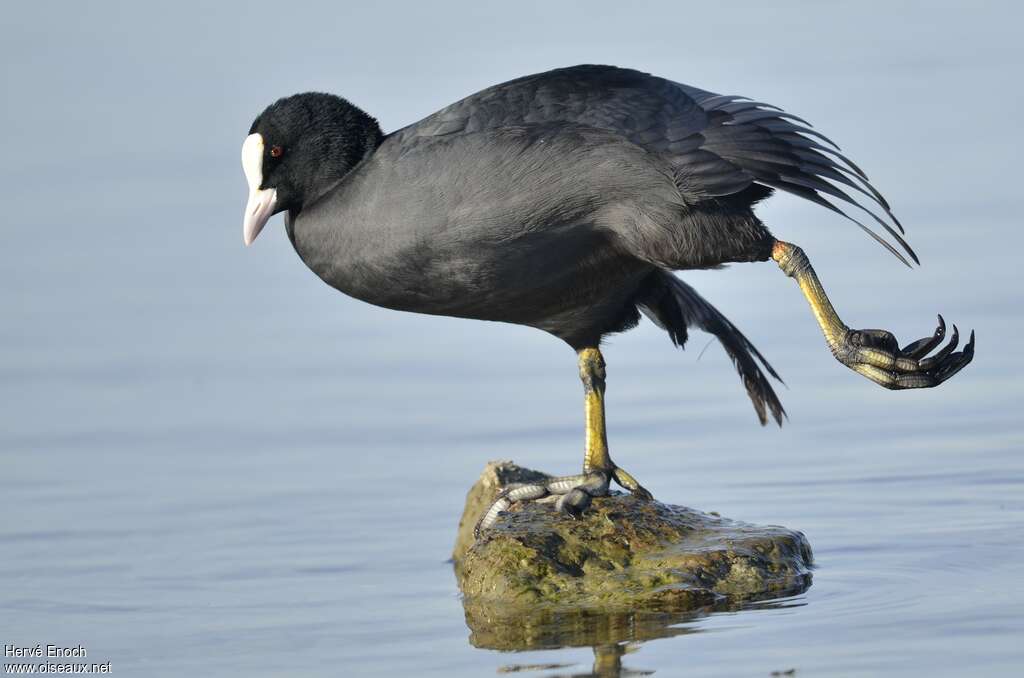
(875,354)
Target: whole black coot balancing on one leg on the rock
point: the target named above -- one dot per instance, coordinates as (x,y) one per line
(564,201)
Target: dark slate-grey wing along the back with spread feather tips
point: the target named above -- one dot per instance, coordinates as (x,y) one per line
(719,146)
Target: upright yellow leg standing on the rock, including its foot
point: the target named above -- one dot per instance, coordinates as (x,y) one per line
(574,494)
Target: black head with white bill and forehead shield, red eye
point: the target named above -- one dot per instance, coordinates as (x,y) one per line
(298,148)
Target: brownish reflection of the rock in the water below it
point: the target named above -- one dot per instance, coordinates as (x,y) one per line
(611,633)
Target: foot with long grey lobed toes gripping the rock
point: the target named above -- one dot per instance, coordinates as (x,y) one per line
(573,494)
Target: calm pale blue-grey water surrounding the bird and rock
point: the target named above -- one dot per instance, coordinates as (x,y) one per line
(214,464)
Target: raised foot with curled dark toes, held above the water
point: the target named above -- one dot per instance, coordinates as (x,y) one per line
(877,355)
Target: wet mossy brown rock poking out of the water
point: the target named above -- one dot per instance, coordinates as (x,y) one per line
(624,554)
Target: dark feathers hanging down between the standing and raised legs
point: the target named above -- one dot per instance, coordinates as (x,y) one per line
(675,307)
